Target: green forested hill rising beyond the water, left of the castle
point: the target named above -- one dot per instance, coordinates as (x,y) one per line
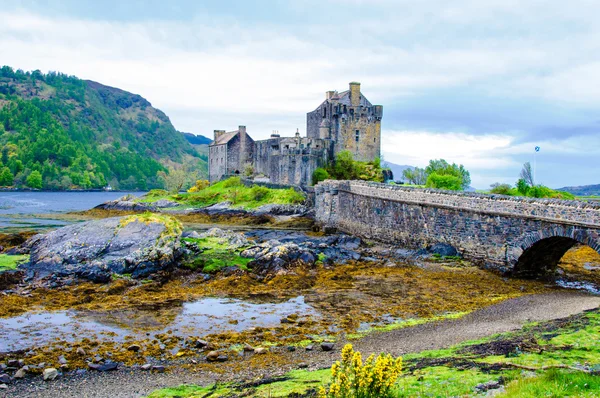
(61,132)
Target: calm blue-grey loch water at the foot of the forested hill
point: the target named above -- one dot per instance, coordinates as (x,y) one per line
(38,210)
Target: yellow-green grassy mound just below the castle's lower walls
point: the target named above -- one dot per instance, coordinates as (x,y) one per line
(232,190)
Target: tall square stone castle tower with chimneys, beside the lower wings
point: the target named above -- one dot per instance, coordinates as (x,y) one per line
(349,121)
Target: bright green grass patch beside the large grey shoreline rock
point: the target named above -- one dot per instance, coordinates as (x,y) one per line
(215,255)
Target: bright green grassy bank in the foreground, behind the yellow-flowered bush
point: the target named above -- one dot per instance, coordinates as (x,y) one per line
(557,358)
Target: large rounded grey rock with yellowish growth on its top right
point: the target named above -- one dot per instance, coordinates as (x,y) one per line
(95,250)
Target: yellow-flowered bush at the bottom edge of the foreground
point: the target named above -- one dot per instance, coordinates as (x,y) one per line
(352,379)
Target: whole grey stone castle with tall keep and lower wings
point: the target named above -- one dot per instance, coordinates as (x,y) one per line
(345,121)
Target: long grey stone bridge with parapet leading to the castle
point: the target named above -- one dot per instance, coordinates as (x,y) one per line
(522,236)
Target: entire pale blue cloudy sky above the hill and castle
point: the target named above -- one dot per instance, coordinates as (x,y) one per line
(480,83)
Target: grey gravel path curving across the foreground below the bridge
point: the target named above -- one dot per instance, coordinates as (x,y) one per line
(505,316)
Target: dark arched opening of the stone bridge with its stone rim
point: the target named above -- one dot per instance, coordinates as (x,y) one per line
(542,251)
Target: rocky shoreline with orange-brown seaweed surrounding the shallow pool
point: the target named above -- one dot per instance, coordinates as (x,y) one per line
(141,259)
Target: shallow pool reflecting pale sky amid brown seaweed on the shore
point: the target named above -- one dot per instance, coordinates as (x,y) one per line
(195,319)
